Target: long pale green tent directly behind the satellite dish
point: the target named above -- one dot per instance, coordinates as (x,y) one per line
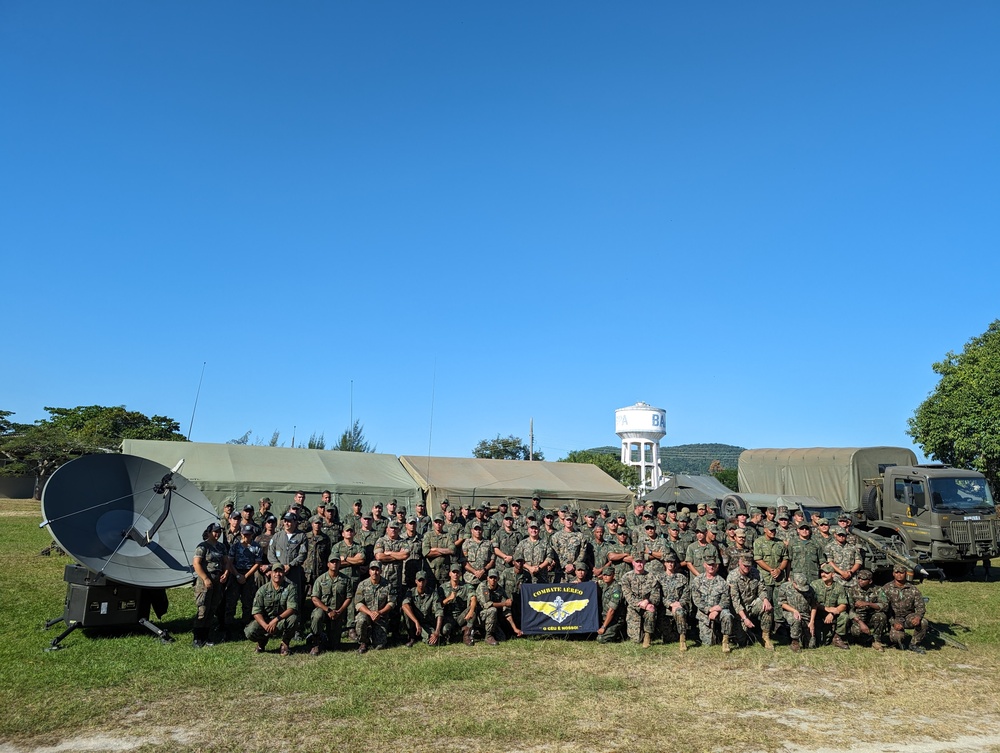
(243,474)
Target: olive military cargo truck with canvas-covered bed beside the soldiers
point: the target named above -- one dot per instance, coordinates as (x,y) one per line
(943,515)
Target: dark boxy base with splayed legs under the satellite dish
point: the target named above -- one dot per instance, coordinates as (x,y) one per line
(93,601)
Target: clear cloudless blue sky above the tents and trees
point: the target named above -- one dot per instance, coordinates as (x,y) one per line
(769,219)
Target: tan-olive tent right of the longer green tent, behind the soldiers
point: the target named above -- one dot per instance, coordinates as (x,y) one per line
(476,481)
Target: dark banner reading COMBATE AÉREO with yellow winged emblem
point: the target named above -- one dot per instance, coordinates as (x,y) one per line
(559,608)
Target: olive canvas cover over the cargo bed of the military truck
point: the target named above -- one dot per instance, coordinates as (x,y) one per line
(834,475)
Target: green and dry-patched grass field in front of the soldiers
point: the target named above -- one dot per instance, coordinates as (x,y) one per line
(134,693)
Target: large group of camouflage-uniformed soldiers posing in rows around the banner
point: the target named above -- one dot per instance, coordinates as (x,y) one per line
(389,576)
